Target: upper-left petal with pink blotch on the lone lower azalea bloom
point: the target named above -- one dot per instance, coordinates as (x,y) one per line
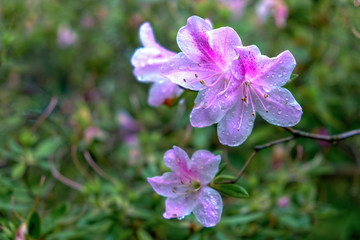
(178,161)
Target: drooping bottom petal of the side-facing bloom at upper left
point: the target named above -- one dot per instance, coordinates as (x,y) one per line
(162,91)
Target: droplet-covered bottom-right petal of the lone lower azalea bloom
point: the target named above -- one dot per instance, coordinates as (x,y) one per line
(208,207)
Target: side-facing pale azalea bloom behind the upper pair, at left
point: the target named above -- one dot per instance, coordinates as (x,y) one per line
(147,62)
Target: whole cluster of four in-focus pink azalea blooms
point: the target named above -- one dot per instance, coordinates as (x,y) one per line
(234,82)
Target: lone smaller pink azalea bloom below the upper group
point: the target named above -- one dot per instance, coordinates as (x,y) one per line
(186,186)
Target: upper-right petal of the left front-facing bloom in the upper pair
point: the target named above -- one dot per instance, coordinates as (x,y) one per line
(222,41)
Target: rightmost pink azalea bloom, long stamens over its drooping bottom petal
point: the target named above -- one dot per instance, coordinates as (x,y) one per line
(257,87)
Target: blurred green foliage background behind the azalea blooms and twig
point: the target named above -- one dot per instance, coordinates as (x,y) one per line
(73,56)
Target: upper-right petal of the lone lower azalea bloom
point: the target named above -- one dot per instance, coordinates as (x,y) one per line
(205,165)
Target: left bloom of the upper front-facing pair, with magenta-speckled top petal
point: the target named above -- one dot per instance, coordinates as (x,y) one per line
(203,65)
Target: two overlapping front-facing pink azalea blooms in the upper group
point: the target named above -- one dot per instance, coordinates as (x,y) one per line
(230,87)
